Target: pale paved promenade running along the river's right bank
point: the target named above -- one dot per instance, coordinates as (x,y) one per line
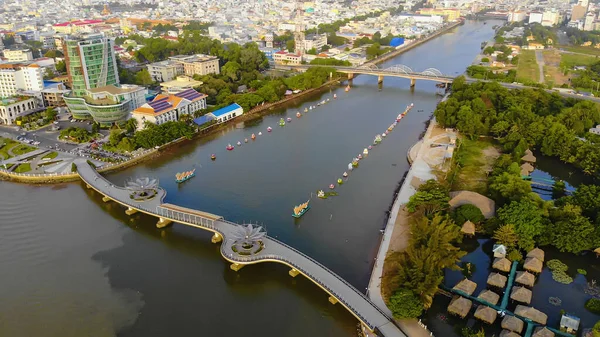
(421,171)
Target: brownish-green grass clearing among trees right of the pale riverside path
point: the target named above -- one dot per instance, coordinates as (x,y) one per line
(474,160)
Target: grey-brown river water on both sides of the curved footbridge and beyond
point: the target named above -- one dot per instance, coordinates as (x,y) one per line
(75,266)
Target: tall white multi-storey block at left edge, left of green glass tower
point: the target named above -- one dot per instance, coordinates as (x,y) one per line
(16,76)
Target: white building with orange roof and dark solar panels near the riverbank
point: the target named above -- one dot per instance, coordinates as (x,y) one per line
(169,108)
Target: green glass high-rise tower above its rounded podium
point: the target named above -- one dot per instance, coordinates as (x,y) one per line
(90,61)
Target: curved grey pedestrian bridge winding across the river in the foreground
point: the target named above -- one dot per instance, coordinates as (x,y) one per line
(372,318)
